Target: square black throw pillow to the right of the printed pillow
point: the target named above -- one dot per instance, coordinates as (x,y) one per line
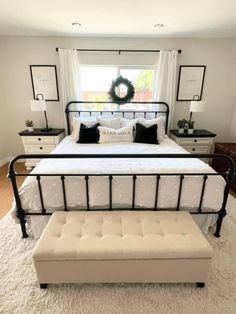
(145,134)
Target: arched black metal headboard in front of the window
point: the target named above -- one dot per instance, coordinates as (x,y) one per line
(133,110)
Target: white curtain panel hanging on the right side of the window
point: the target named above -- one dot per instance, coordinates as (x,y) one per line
(165,80)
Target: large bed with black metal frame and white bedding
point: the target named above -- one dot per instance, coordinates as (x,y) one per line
(121,176)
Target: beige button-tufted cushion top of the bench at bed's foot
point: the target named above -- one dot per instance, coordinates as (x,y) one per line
(114,235)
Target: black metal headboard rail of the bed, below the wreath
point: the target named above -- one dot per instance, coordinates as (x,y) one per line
(121,112)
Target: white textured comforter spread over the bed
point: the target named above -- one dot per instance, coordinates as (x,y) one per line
(122,186)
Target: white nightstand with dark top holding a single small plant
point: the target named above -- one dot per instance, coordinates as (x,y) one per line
(40,142)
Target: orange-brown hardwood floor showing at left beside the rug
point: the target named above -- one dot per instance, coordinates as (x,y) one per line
(6,194)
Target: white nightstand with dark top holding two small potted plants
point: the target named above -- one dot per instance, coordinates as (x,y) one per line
(200,142)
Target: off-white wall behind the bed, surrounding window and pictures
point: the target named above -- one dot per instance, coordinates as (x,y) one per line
(17,53)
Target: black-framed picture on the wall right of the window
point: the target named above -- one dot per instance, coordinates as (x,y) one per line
(190,82)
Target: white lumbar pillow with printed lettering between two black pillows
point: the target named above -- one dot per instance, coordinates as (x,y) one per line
(108,135)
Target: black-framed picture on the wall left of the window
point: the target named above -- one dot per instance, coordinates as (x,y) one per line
(44,81)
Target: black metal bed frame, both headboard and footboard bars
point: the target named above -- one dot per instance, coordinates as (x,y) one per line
(22,213)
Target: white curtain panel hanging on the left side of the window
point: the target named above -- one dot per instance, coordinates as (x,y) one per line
(70,77)
